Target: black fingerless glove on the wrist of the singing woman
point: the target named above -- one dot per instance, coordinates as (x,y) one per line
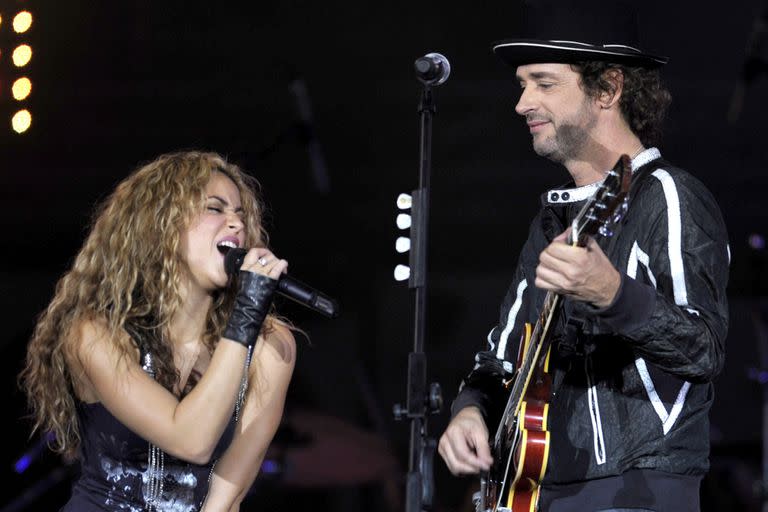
(251,307)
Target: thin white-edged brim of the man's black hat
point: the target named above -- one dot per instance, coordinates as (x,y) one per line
(517,52)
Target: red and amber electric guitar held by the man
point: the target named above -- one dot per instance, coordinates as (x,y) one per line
(521,445)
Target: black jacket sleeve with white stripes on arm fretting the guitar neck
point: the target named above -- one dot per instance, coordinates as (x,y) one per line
(672,305)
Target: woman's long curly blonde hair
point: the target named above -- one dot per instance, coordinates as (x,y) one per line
(129,272)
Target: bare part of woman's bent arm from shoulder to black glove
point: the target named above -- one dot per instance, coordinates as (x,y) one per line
(188,428)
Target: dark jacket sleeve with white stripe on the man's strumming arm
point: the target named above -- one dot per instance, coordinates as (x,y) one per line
(483,387)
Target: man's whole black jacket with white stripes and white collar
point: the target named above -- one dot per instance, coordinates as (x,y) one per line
(633,381)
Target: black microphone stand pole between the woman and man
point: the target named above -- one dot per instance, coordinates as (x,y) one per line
(420,400)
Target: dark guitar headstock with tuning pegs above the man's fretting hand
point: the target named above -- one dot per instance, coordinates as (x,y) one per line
(607,205)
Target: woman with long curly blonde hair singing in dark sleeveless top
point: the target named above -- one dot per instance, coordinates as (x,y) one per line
(164,376)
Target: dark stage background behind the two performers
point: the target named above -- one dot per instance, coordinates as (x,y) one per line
(117,83)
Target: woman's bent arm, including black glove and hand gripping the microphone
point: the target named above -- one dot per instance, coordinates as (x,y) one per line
(189,428)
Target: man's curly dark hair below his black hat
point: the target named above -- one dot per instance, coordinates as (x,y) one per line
(644,99)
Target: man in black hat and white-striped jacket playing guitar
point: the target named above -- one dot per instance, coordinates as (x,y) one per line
(640,332)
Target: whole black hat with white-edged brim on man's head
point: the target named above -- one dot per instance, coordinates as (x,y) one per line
(568,31)
